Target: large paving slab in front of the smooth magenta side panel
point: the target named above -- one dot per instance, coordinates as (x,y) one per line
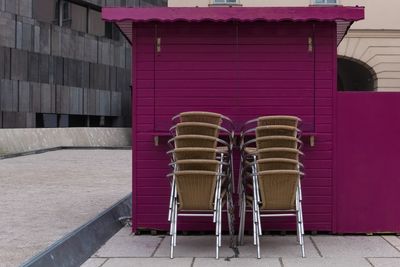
(354,246)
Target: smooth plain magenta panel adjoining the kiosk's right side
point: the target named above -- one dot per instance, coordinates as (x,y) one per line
(367,155)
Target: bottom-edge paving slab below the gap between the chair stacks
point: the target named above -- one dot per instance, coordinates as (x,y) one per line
(236,262)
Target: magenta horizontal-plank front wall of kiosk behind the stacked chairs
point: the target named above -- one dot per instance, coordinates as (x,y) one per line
(265,69)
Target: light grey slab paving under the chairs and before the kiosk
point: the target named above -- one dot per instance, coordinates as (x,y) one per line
(126,249)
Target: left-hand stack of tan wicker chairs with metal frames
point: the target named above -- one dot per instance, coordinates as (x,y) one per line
(201,162)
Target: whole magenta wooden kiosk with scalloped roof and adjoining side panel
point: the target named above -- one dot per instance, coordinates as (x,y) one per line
(247,62)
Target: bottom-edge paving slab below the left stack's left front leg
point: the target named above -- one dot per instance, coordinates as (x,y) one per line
(153,262)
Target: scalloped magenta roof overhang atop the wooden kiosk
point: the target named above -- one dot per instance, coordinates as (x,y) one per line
(126,17)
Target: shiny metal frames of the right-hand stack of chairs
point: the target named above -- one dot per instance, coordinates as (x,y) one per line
(249,162)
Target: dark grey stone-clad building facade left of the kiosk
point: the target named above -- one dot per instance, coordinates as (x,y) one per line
(62,66)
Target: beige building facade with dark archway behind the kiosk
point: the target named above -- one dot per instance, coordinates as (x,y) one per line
(369,56)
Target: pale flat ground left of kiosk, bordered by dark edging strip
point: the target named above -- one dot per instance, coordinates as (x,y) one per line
(45,196)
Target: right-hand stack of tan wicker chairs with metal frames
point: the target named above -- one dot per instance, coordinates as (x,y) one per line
(270,173)
